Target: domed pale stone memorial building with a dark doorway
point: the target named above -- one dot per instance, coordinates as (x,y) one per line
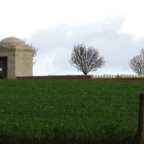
(16,58)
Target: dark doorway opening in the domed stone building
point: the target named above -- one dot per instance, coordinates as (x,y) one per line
(3,67)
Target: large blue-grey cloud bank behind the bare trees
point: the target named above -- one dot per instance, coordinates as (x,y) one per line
(56,44)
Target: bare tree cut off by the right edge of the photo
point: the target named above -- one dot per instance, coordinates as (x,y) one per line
(137,63)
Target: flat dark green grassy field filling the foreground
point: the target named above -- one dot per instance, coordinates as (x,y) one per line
(60,111)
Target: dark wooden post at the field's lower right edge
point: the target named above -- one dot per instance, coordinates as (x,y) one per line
(141,119)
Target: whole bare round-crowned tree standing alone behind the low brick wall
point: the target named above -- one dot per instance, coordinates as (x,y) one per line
(86,60)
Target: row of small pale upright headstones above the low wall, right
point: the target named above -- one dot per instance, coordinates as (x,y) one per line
(117,76)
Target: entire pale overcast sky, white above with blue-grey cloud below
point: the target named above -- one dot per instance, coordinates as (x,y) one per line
(114,27)
